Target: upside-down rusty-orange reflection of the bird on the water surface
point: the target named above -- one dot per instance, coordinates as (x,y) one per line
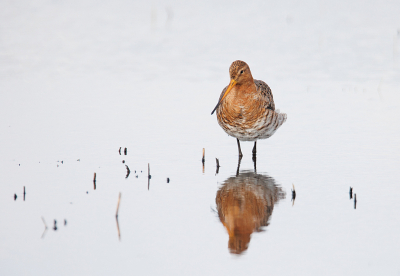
(245,204)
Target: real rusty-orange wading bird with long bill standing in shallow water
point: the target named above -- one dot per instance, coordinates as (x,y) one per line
(246,108)
